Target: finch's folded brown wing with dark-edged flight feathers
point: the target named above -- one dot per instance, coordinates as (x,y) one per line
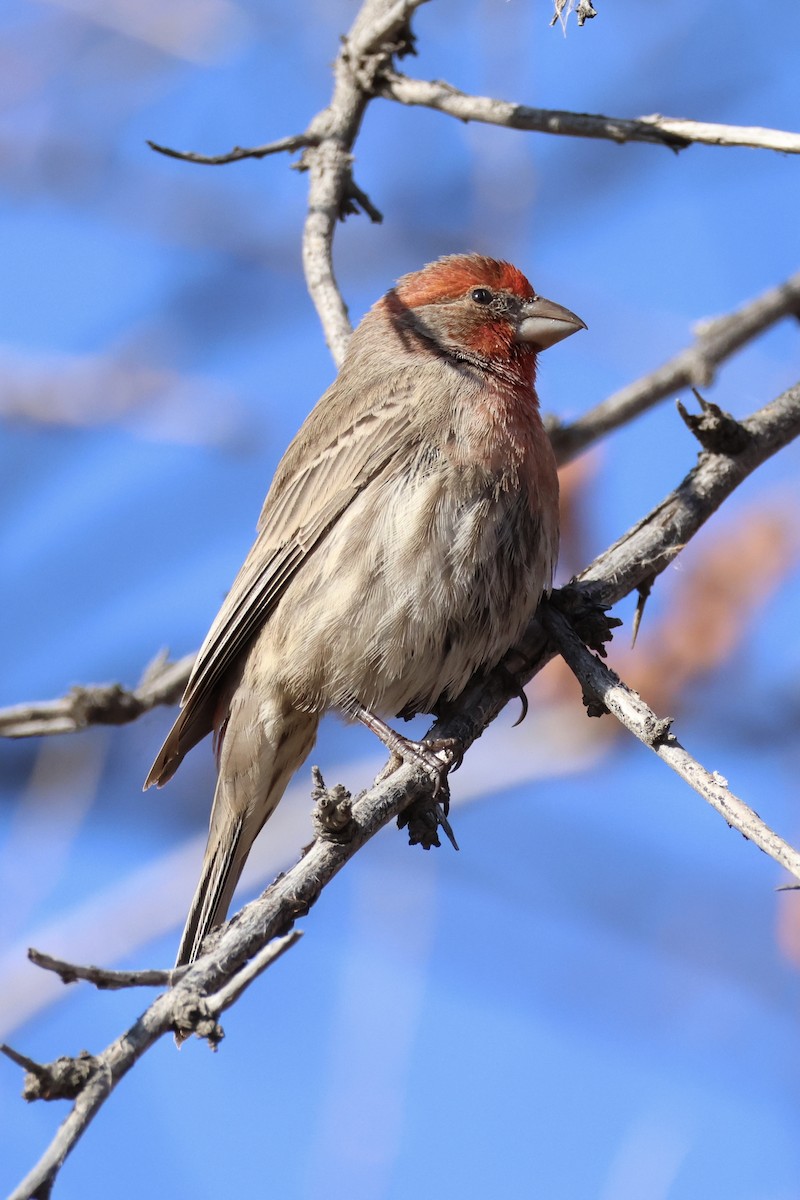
(311,490)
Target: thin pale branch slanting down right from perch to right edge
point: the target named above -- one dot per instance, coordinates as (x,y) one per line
(630,710)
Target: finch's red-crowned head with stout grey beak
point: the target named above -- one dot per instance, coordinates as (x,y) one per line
(479,309)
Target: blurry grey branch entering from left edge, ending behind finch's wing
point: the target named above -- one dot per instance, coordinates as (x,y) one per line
(163,683)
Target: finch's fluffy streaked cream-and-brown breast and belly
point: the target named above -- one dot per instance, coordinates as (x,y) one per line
(430,574)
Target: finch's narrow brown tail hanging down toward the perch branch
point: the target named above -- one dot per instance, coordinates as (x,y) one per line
(258,753)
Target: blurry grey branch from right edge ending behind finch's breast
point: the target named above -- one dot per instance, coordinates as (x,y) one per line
(694,368)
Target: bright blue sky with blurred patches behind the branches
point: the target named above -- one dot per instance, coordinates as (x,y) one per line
(599,995)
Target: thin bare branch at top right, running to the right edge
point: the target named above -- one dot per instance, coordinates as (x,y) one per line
(673,133)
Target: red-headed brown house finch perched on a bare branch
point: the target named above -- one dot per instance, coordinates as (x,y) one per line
(410,533)
